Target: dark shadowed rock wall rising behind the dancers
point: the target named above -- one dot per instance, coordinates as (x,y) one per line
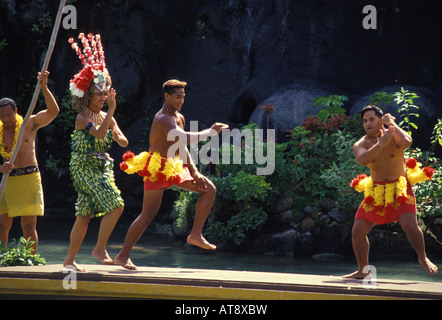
(235,55)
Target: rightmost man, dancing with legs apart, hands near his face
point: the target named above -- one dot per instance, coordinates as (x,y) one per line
(388,196)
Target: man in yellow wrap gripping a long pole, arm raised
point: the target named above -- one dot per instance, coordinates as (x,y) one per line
(23,194)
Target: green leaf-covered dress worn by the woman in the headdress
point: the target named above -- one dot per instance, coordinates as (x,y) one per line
(91,170)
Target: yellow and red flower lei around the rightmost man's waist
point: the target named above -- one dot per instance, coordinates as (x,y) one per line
(384,195)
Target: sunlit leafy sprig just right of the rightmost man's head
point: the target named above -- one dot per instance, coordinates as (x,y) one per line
(404,99)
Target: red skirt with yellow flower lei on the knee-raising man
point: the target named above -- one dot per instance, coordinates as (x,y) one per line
(158,172)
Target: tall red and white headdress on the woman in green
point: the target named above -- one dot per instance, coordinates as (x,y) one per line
(92,57)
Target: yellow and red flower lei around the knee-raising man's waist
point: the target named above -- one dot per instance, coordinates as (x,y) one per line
(148,165)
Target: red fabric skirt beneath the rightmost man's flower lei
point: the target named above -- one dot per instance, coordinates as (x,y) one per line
(369,213)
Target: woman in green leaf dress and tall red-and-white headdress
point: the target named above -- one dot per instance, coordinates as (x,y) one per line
(91,167)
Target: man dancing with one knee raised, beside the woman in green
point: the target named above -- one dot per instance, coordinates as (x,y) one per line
(162,170)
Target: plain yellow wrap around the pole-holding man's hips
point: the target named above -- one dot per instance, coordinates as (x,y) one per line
(23,196)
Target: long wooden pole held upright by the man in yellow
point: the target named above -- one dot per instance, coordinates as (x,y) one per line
(36,93)
